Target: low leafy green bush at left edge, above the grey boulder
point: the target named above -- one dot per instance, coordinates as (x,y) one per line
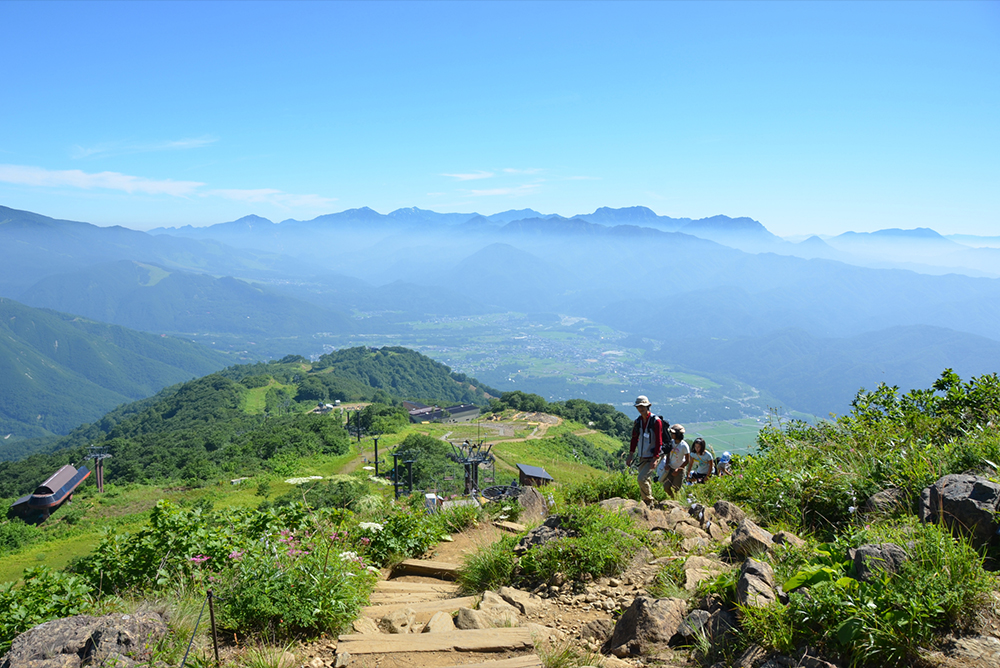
(44,594)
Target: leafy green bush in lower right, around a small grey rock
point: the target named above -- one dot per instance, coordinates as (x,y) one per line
(880,621)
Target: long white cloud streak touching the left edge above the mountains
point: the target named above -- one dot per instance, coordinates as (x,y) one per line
(75,178)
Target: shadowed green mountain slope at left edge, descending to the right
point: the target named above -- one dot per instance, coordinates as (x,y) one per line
(59,370)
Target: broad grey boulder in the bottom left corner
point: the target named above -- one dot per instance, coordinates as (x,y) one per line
(121,640)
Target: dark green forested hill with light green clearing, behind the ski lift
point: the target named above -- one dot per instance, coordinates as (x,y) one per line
(246,418)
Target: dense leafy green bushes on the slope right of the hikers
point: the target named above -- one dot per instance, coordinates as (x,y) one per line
(814,477)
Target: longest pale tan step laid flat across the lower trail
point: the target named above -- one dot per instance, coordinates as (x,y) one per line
(476,640)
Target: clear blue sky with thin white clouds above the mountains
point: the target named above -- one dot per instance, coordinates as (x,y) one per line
(809,117)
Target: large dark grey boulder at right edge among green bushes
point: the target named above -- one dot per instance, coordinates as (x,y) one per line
(967,504)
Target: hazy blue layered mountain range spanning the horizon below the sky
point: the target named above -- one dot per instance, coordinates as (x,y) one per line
(716,295)
